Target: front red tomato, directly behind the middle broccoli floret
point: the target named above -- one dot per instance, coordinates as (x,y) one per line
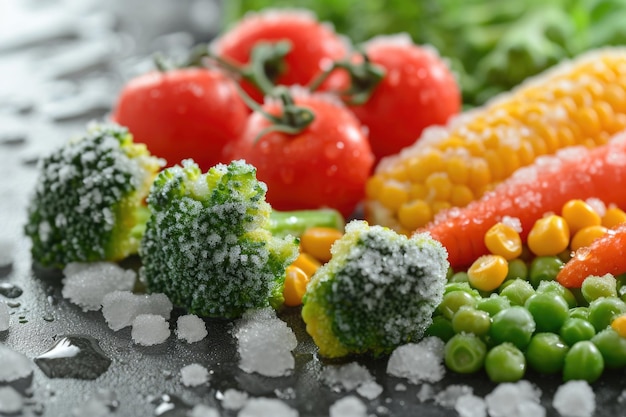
(324,165)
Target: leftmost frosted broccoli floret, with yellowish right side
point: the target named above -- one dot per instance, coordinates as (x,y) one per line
(89,201)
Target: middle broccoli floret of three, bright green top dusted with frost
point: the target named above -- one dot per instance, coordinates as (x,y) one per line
(207,245)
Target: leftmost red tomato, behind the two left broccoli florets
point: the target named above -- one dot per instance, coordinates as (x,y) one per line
(183,113)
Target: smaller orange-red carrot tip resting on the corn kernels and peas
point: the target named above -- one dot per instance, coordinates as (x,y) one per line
(605,255)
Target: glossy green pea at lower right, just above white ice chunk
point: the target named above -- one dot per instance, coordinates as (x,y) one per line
(583,361)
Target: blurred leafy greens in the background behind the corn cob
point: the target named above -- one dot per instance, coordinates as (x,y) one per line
(492,45)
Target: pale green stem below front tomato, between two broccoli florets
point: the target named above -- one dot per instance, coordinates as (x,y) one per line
(283,223)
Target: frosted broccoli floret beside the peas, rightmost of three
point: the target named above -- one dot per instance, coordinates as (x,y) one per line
(377,292)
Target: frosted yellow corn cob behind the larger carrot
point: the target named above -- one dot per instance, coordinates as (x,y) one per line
(578,102)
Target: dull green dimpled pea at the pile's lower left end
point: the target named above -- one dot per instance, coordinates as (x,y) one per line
(465,353)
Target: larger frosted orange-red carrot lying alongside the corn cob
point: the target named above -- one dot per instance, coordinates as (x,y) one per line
(544,186)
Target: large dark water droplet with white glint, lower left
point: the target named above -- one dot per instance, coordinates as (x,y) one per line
(74,356)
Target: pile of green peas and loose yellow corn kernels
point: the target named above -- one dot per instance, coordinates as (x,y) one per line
(507,313)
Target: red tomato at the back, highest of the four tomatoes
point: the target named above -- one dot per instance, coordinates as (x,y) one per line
(314,46)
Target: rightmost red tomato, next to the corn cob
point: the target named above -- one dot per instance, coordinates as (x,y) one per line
(418,90)
